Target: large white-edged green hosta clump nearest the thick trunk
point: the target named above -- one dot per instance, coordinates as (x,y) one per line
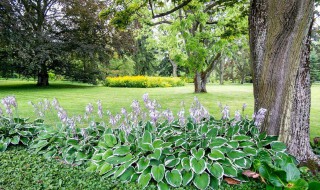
(199,151)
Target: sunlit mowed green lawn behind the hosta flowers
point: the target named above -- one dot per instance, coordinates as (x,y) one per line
(75,96)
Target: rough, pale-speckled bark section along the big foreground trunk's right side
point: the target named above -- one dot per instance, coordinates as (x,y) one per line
(298,140)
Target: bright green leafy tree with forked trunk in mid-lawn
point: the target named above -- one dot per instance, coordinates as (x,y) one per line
(195,21)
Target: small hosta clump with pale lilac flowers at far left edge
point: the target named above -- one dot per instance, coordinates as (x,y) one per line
(14,130)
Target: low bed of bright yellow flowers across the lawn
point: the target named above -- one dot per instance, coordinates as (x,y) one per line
(143,82)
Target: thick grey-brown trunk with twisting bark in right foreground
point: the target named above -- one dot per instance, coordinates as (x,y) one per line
(278,31)
